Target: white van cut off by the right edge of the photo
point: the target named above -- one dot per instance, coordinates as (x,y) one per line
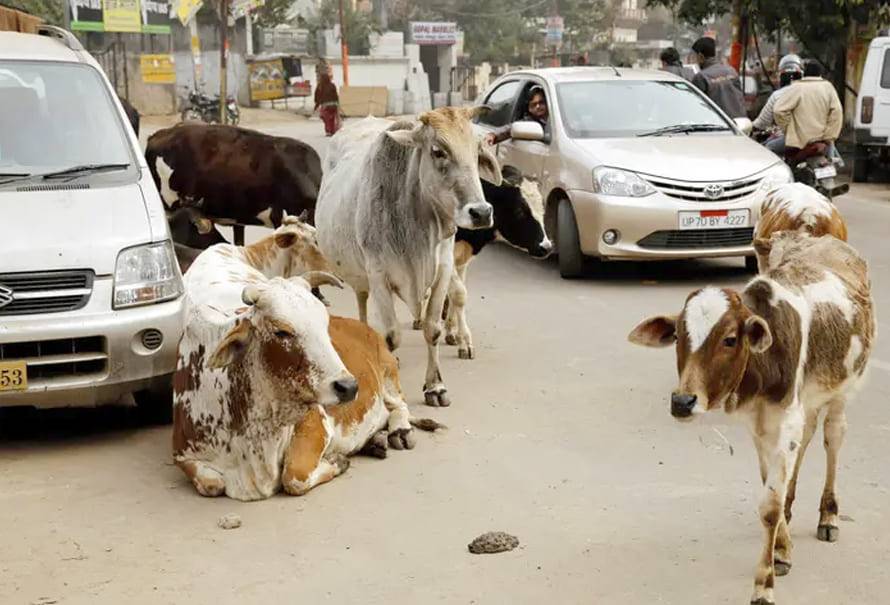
(872,121)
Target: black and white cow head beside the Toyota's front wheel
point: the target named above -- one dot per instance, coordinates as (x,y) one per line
(519,213)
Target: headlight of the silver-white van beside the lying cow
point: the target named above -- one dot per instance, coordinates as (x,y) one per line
(146,274)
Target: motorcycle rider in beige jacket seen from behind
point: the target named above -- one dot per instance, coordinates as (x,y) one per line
(809,112)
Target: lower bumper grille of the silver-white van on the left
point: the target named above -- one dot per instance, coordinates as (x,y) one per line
(60,358)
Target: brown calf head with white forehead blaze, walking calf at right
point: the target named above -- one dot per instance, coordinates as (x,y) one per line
(715,335)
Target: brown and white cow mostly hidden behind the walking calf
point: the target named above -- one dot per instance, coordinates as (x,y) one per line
(798,207)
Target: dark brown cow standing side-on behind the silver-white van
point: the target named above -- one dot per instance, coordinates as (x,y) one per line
(234,175)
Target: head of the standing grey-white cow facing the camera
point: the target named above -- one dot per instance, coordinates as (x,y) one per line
(451,161)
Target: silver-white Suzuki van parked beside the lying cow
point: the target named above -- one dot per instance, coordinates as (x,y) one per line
(91,298)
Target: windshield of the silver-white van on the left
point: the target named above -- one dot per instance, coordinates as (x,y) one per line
(57,116)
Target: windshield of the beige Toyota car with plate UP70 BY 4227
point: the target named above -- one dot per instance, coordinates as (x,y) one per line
(626,108)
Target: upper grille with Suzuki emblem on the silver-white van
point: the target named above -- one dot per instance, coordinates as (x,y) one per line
(44,292)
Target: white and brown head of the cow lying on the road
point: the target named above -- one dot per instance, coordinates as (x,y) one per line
(281,346)
